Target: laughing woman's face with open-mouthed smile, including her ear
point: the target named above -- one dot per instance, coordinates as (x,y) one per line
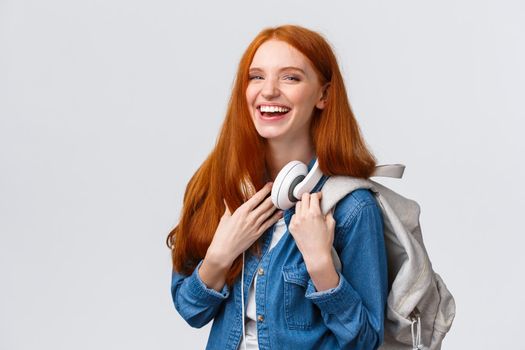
(282,92)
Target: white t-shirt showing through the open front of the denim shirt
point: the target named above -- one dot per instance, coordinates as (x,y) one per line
(251,312)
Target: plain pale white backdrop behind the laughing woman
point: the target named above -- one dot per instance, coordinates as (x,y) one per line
(108,107)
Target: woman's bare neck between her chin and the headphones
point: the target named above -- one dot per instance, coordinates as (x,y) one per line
(280,153)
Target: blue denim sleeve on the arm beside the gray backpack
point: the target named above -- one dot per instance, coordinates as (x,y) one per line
(354,309)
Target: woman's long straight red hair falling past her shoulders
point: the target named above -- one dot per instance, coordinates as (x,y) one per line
(235,168)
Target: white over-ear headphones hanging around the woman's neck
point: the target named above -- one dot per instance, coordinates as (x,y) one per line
(292,181)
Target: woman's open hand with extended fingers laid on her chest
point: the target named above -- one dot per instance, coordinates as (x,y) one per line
(238,231)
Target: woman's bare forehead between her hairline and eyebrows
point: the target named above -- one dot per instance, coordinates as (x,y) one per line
(275,54)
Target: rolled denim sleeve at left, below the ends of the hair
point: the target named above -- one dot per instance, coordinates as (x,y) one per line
(194,301)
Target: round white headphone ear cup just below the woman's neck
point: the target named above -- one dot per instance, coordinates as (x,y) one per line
(285,182)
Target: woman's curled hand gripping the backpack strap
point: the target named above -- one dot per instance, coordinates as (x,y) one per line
(313,232)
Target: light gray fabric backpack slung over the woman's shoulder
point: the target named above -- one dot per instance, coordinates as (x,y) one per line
(420,308)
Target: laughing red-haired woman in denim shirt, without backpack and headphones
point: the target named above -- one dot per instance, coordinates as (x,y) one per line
(288,103)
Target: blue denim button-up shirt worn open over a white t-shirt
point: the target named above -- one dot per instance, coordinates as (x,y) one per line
(291,313)
